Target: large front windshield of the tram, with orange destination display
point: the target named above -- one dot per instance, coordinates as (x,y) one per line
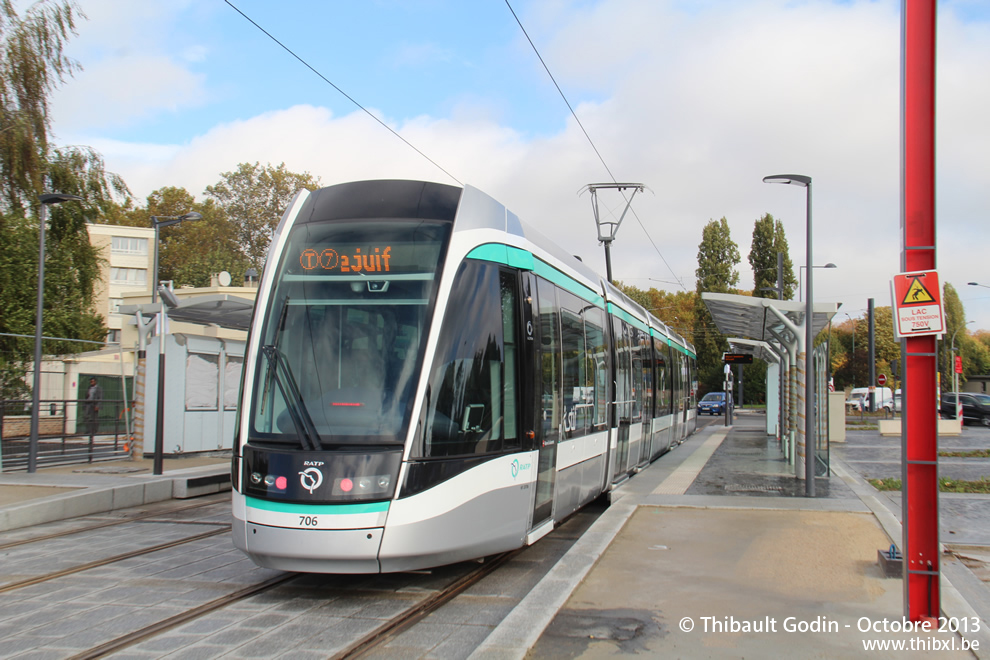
(343,336)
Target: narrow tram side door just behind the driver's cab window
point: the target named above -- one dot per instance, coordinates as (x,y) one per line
(551,402)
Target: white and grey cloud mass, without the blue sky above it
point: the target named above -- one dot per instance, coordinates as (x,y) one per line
(699,105)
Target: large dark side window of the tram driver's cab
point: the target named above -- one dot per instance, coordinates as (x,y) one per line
(472,398)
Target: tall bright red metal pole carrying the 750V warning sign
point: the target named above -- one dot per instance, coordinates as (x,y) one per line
(920,432)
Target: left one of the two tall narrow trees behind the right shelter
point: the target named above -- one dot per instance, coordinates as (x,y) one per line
(718,256)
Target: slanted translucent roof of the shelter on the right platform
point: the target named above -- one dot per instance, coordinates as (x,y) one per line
(751,318)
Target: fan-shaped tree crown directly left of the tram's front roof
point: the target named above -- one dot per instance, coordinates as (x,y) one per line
(254,199)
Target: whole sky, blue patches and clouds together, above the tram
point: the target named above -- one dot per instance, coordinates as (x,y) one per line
(696,99)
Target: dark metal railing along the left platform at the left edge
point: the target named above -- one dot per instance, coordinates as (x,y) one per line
(70,431)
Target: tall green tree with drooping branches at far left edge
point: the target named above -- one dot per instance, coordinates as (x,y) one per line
(32,64)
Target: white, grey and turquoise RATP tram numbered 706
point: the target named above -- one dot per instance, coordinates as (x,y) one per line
(428,380)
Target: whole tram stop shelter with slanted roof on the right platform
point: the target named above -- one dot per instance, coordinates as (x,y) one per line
(774,331)
